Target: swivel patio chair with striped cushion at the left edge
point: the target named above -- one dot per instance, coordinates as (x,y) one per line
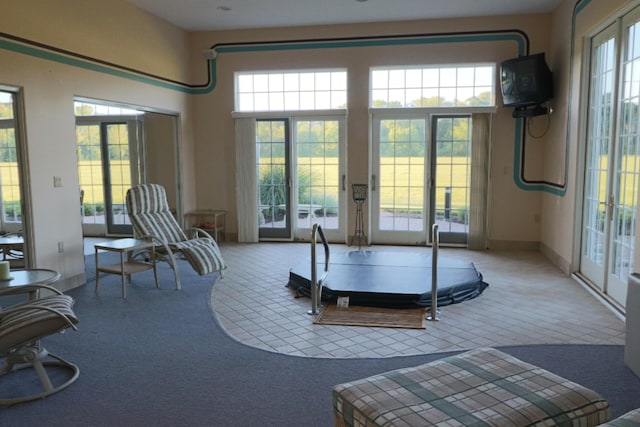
(22,326)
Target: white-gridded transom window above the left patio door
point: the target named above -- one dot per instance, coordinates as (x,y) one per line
(291,90)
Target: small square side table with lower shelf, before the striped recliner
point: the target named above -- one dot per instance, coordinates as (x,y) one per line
(128,267)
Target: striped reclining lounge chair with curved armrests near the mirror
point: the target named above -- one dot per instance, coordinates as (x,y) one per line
(152,220)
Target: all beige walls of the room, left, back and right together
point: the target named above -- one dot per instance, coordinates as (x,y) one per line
(119,33)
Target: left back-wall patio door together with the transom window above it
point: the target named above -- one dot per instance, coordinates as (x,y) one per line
(301,170)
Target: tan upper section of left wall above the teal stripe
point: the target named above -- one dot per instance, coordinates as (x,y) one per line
(112,31)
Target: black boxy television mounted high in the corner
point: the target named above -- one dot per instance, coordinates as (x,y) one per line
(526,81)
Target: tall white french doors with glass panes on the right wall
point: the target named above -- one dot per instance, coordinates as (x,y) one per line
(612,164)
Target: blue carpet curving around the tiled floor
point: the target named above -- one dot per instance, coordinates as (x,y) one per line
(159,358)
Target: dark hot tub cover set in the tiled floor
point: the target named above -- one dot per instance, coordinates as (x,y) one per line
(390,279)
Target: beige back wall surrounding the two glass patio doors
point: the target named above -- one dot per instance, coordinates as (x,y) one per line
(514,213)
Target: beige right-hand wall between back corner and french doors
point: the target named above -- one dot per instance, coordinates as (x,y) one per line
(561,214)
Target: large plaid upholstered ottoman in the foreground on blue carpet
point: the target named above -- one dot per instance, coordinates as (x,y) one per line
(478,388)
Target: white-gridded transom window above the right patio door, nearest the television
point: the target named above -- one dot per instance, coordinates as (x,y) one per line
(433,86)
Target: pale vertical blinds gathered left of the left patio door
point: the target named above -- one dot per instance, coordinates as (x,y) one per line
(246,180)
